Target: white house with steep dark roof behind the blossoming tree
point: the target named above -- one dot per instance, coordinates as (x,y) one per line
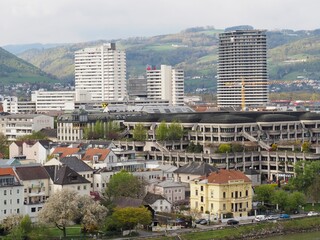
(63,177)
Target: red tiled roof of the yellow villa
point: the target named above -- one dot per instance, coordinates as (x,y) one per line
(224,176)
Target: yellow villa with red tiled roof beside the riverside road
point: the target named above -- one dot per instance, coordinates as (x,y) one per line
(221,192)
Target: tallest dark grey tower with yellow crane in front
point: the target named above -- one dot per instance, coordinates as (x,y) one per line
(242,69)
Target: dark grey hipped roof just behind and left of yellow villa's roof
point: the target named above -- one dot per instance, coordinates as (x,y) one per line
(196,168)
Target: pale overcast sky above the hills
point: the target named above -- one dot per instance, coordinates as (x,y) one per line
(71,21)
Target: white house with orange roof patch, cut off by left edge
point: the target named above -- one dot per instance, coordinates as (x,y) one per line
(11,194)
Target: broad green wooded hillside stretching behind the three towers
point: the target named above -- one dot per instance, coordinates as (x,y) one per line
(291,54)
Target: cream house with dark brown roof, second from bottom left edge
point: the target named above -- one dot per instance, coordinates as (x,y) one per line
(35,181)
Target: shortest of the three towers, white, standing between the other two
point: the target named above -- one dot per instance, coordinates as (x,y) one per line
(166,83)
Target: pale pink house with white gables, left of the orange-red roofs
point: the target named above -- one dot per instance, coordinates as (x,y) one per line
(31,149)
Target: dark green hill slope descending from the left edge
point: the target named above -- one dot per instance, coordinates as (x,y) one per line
(16,70)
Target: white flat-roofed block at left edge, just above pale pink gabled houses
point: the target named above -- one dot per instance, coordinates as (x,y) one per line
(16,125)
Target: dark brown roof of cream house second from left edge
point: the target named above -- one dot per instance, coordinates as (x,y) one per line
(31,173)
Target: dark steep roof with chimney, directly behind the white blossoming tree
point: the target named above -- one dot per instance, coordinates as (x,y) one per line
(64,175)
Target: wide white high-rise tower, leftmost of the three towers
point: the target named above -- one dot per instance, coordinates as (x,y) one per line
(101,71)
